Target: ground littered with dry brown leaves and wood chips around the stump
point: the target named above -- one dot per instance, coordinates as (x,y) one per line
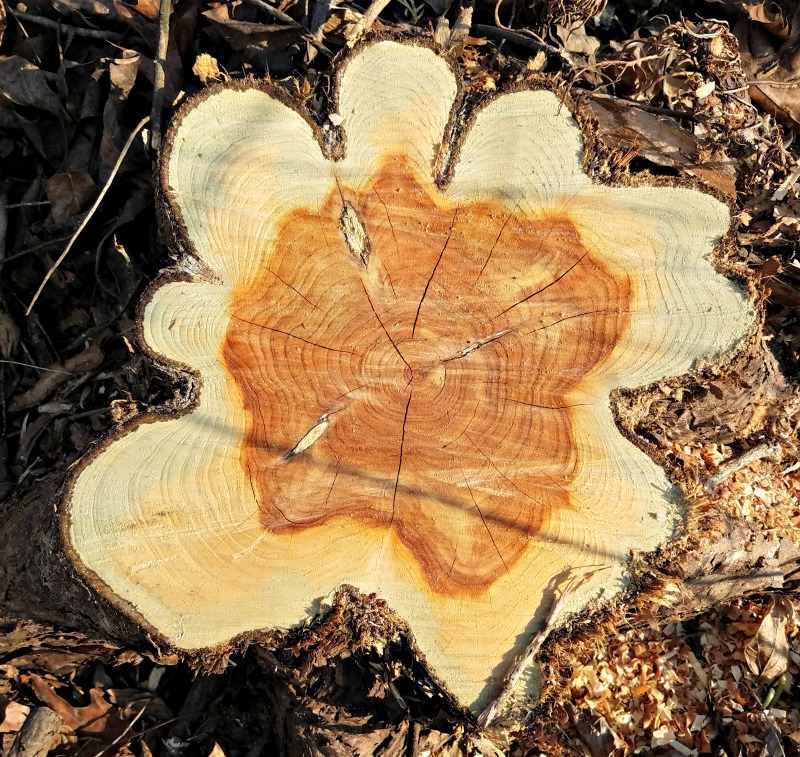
(708,90)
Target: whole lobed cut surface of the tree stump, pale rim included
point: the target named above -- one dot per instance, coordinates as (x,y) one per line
(404,344)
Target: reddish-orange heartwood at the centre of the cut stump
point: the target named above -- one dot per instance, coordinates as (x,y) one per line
(435,398)
